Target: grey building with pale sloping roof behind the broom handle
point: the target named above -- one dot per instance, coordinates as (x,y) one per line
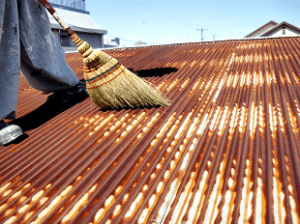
(81,23)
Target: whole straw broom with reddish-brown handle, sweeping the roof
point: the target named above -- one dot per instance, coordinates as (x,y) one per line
(109,84)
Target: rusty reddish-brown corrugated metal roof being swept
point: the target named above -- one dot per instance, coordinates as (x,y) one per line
(225,151)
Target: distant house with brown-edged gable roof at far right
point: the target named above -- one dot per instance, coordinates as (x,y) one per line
(273,29)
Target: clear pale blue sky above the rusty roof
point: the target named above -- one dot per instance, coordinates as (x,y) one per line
(167,21)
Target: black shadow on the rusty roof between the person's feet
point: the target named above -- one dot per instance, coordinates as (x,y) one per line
(54,105)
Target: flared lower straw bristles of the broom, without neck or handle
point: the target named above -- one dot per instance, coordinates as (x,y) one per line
(123,89)
